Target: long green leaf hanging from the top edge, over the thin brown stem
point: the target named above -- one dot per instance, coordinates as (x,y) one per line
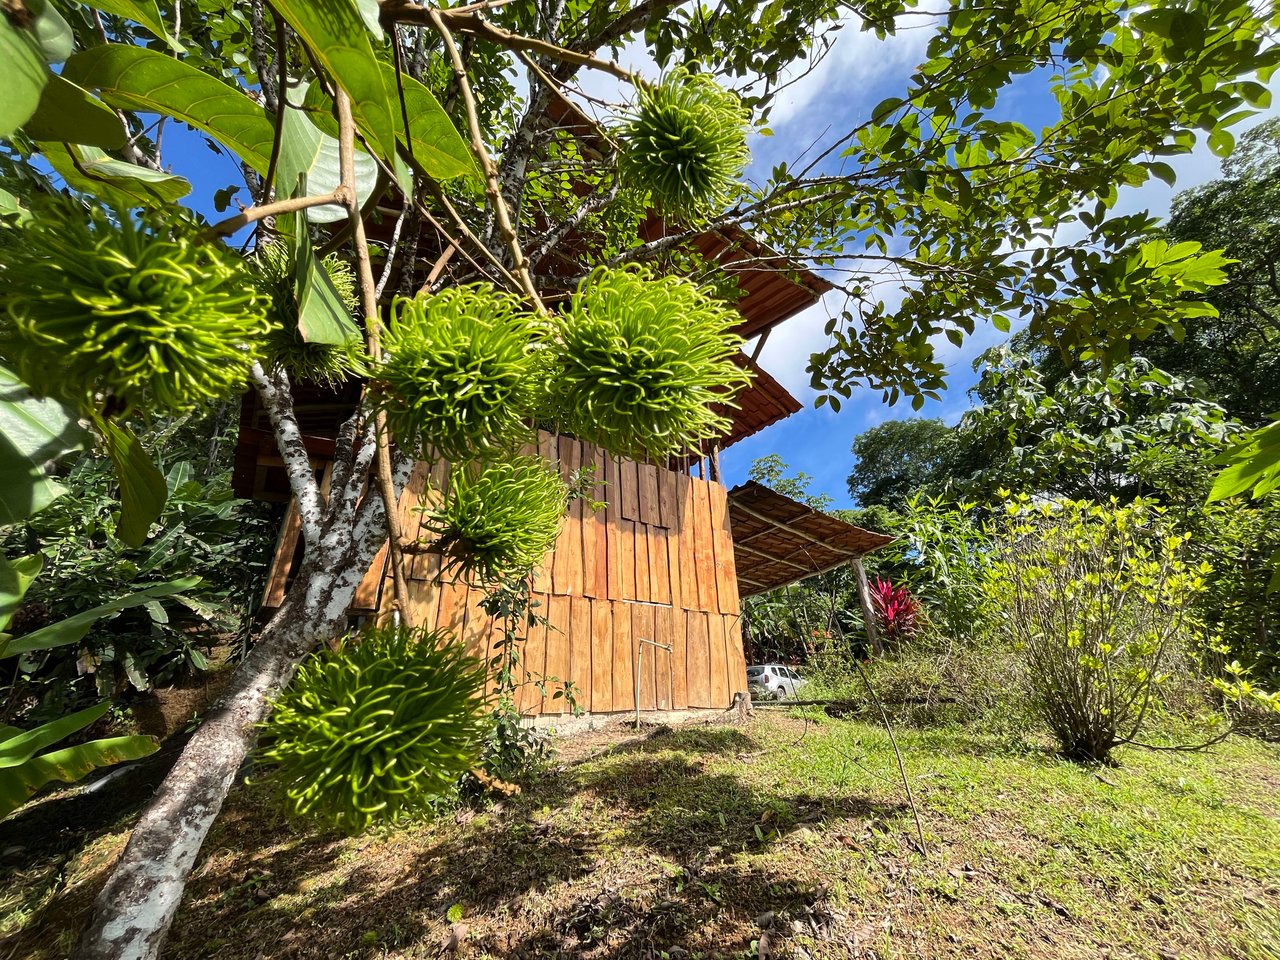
(337,35)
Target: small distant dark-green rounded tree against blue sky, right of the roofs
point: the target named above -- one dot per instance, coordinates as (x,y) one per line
(899,458)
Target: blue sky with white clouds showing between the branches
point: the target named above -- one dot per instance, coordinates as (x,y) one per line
(858,74)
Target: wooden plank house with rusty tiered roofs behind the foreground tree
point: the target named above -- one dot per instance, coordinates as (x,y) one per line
(642,598)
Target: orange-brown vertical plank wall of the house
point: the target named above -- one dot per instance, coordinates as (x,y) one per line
(655,564)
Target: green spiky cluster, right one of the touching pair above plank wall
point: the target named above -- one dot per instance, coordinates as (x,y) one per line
(642,360)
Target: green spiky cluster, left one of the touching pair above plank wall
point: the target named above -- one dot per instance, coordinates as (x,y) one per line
(463,373)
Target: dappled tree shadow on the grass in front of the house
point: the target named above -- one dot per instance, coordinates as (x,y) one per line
(619,857)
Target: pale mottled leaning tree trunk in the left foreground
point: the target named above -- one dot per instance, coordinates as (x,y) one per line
(134,912)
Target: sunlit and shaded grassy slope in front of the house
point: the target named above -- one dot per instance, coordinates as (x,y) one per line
(676,844)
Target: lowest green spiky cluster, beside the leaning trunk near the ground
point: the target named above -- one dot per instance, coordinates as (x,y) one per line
(378,729)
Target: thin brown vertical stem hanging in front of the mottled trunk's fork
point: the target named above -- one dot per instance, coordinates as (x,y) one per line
(373,335)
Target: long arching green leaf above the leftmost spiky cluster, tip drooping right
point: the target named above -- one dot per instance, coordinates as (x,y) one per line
(136,79)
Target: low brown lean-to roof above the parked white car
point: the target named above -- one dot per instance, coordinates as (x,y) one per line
(779,541)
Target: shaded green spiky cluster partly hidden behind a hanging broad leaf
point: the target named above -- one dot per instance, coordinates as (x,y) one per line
(326,364)
